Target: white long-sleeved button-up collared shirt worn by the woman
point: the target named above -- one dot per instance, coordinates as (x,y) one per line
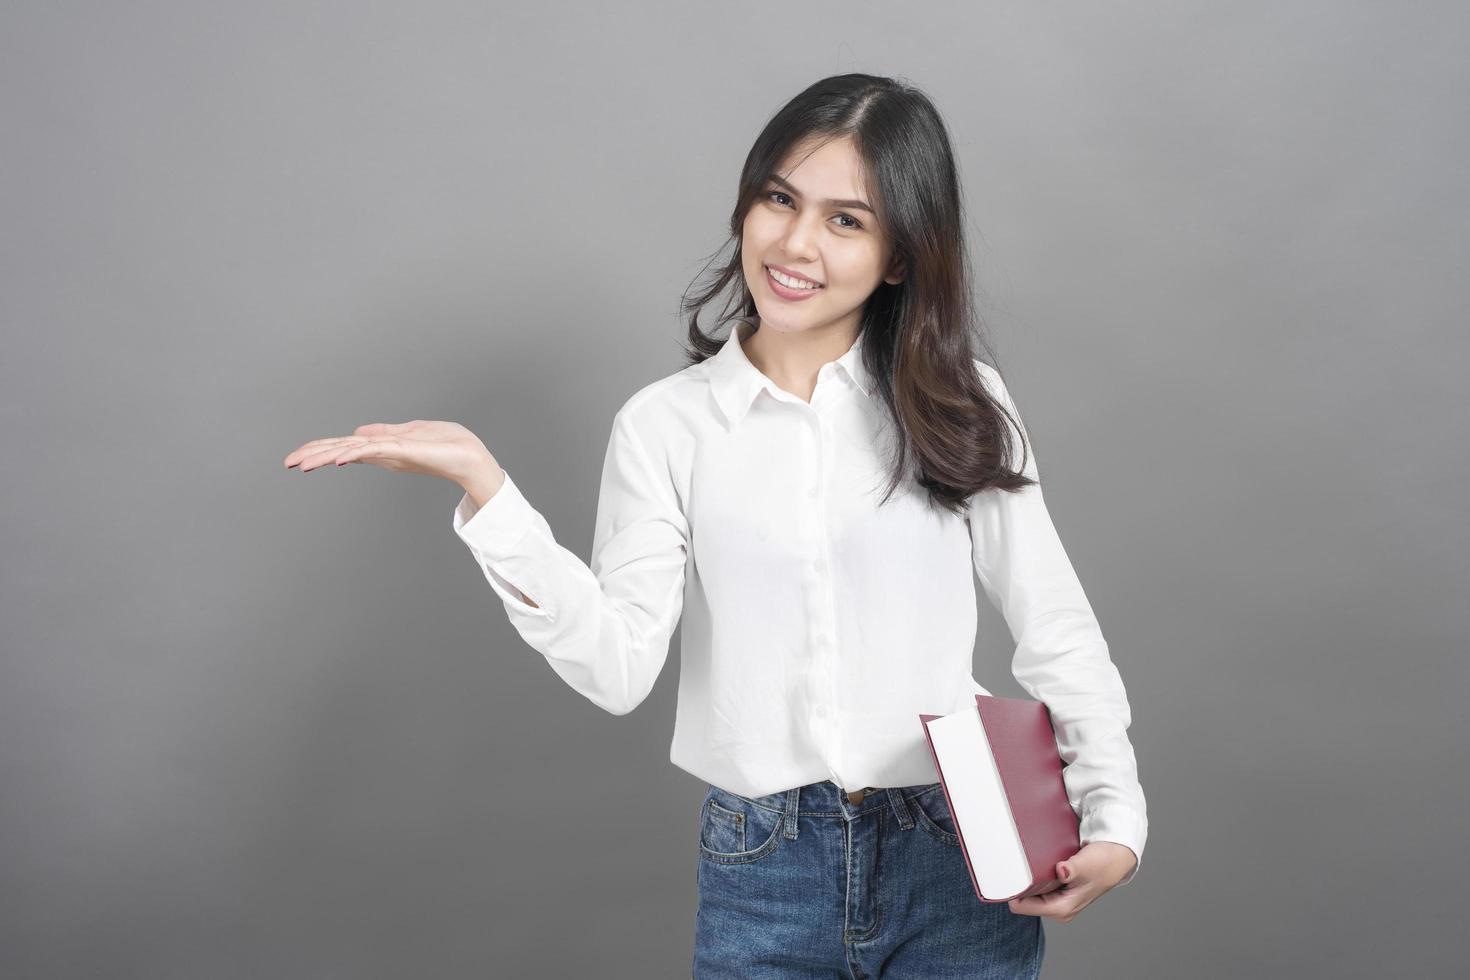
(817,625)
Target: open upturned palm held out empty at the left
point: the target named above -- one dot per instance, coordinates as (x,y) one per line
(434,449)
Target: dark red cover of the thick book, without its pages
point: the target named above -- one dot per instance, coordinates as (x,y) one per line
(1024,746)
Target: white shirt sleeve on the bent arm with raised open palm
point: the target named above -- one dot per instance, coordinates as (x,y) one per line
(603,628)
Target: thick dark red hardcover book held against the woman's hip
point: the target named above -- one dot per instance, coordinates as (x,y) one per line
(1002,775)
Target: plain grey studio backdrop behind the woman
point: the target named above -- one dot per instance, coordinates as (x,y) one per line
(265,725)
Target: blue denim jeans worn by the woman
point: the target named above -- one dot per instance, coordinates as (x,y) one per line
(803,884)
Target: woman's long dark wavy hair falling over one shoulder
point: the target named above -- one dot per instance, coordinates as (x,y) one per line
(919,334)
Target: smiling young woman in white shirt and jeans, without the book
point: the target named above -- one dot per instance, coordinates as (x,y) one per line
(815,496)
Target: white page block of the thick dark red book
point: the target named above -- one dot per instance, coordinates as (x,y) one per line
(978,804)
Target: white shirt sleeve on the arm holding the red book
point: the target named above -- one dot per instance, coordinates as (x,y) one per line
(1062,657)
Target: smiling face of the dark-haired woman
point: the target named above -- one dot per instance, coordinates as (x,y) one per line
(812,227)
